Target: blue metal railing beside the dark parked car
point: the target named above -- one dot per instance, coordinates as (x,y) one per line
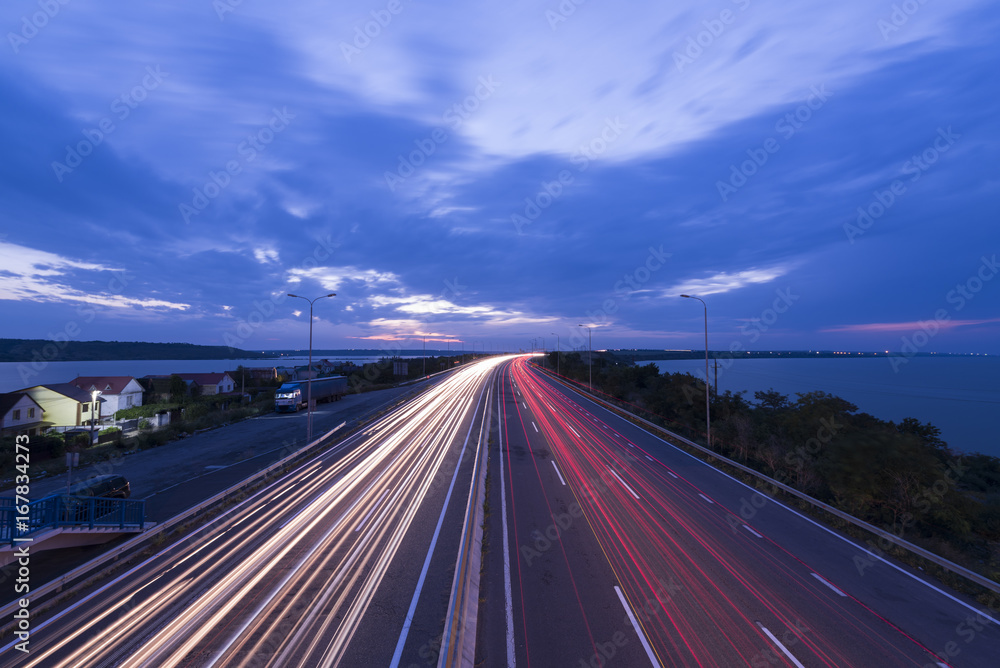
(62,510)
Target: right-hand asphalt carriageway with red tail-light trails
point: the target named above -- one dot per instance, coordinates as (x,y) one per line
(621,550)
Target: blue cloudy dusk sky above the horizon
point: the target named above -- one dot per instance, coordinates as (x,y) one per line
(823,176)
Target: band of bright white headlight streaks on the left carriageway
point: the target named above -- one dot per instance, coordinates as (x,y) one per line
(320,544)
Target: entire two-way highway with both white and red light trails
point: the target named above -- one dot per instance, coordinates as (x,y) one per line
(604,546)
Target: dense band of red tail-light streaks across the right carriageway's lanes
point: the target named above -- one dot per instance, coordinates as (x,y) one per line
(719,596)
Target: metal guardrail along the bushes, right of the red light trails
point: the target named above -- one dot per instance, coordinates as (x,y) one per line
(957,569)
